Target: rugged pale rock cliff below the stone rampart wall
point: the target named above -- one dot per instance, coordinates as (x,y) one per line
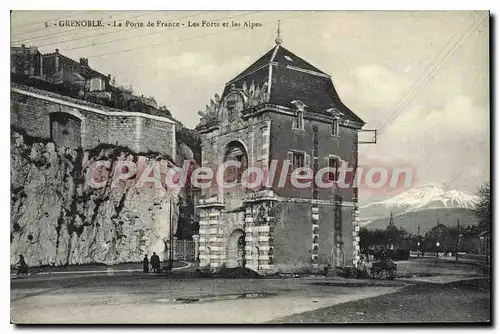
(58,219)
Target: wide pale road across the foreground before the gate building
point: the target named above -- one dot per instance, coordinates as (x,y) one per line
(129,297)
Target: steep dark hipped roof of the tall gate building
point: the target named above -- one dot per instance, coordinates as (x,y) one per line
(293,78)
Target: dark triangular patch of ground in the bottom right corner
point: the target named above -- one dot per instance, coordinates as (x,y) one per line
(462,301)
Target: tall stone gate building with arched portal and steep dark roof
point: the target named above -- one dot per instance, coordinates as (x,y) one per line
(281,108)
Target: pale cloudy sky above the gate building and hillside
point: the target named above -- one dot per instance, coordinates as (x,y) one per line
(420,78)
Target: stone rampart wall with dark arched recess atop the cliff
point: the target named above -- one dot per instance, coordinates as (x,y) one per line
(40,113)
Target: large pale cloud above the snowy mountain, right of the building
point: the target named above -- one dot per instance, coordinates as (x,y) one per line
(442,144)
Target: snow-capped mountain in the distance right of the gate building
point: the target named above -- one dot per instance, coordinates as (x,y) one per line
(423,197)
